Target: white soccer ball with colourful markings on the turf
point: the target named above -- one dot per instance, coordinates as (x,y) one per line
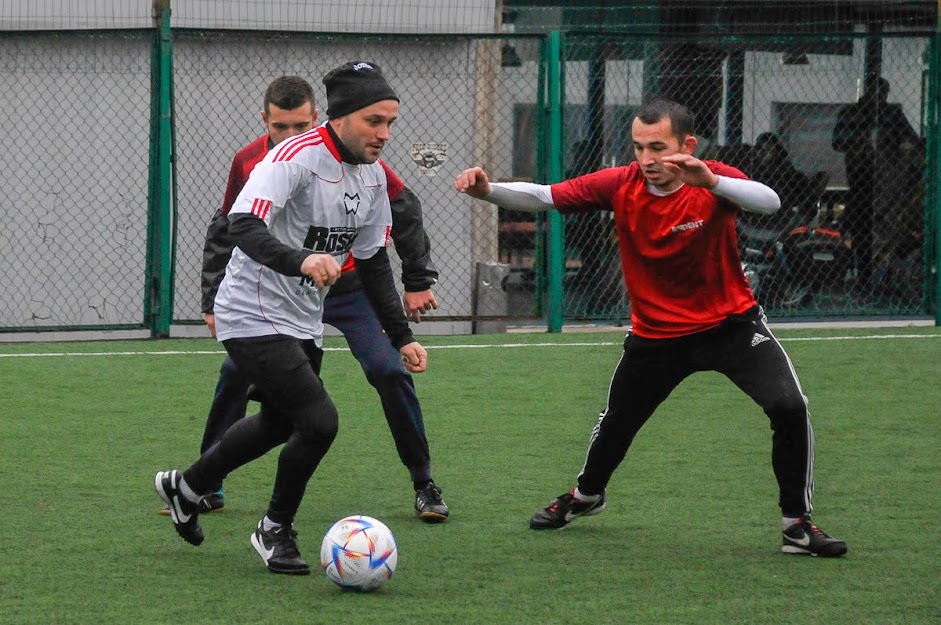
(359,552)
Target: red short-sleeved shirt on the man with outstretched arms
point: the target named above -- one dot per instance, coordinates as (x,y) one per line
(679,253)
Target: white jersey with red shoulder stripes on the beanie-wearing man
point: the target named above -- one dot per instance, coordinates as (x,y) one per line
(308,198)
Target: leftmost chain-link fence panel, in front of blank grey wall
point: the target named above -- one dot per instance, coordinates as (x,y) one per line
(74,178)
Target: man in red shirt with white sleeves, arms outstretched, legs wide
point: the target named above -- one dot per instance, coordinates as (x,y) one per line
(691,307)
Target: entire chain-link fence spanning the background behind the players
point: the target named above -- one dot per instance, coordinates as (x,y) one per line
(855,236)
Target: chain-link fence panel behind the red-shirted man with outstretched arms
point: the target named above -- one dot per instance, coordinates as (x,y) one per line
(836,128)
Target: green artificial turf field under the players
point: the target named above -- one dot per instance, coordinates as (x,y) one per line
(690,536)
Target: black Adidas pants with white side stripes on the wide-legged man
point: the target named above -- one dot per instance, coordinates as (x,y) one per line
(745,351)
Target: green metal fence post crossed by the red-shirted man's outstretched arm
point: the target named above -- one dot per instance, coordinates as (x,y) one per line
(555,159)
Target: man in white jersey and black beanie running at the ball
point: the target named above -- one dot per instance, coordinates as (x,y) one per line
(313,199)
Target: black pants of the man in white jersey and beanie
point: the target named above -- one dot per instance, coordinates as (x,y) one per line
(295,410)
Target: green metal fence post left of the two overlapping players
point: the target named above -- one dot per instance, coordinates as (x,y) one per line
(158,292)
